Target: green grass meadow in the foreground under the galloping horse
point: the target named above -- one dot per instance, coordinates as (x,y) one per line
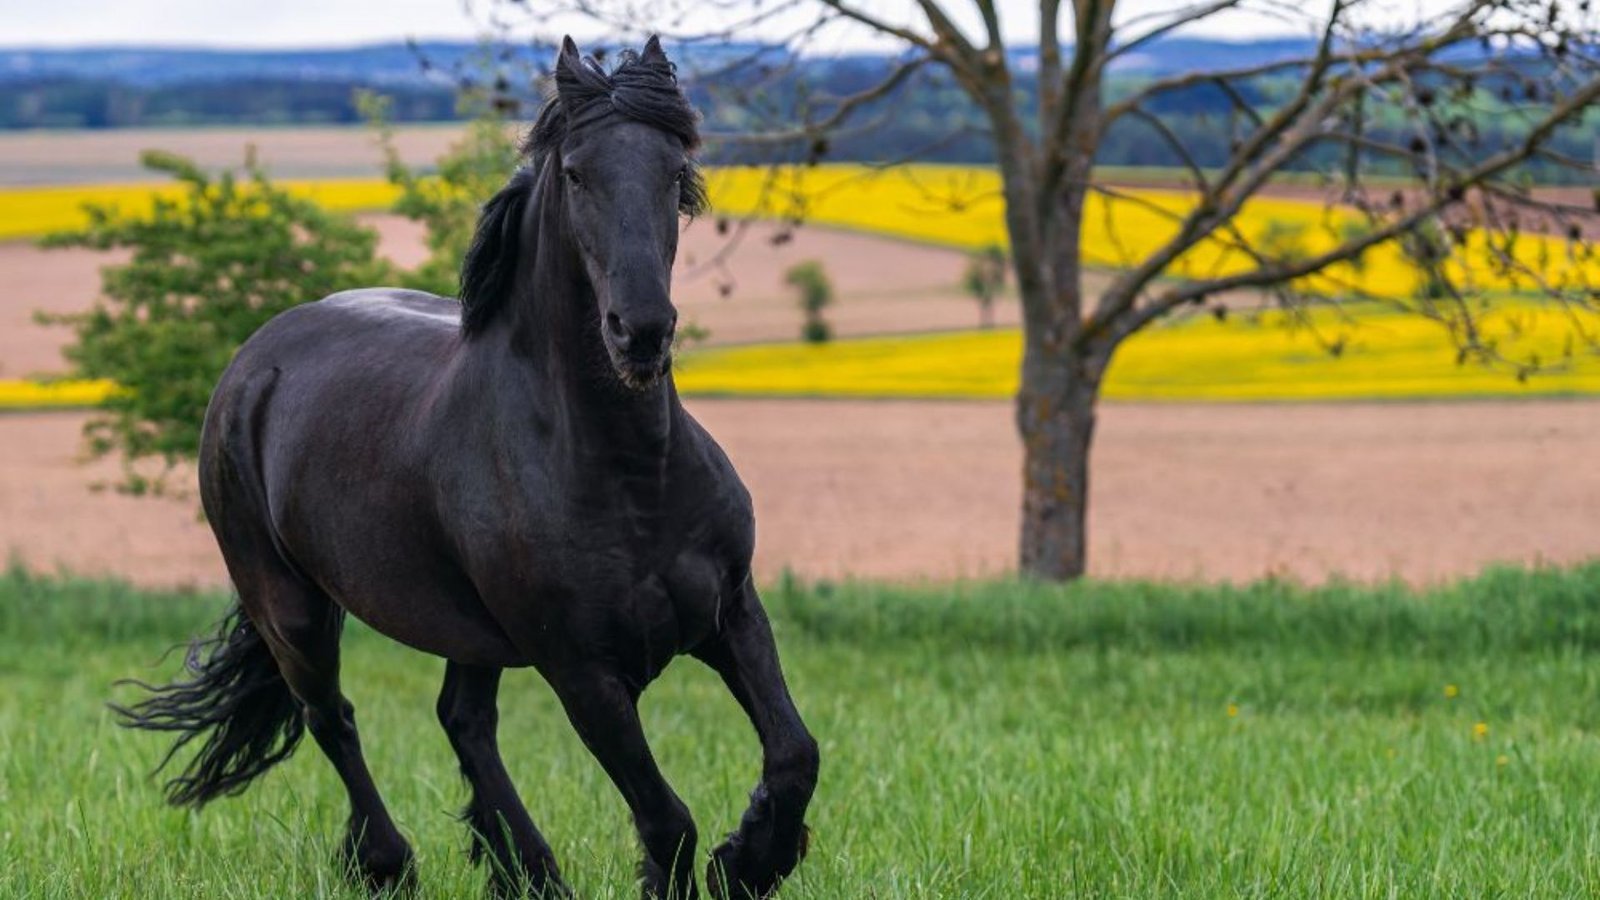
(988,741)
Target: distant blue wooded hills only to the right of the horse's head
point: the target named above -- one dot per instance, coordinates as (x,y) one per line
(932,119)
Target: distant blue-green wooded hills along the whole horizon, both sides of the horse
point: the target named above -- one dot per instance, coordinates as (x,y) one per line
(927,119)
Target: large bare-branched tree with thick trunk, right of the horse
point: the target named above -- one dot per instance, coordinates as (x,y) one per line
(1425,81)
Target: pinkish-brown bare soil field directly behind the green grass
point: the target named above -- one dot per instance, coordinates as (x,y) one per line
(930,491)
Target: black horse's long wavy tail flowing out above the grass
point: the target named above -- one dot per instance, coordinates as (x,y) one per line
(236,701)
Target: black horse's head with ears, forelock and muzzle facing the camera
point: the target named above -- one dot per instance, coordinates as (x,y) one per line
(615,150)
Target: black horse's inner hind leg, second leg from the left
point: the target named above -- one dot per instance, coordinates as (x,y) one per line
(502,827)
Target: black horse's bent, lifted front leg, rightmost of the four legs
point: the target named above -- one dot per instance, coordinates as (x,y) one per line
(772,837)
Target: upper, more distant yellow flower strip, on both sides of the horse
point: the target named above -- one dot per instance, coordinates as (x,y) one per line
(937,204)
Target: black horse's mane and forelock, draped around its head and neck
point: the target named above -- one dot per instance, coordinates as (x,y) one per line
(642,87)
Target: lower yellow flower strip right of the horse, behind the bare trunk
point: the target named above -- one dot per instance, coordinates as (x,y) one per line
(1386,358)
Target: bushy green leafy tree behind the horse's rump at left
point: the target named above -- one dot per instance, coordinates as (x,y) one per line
(209,268)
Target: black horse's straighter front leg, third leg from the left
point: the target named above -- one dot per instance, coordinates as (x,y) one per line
(606,713)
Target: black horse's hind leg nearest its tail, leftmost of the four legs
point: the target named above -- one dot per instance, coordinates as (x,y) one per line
(303,629)
